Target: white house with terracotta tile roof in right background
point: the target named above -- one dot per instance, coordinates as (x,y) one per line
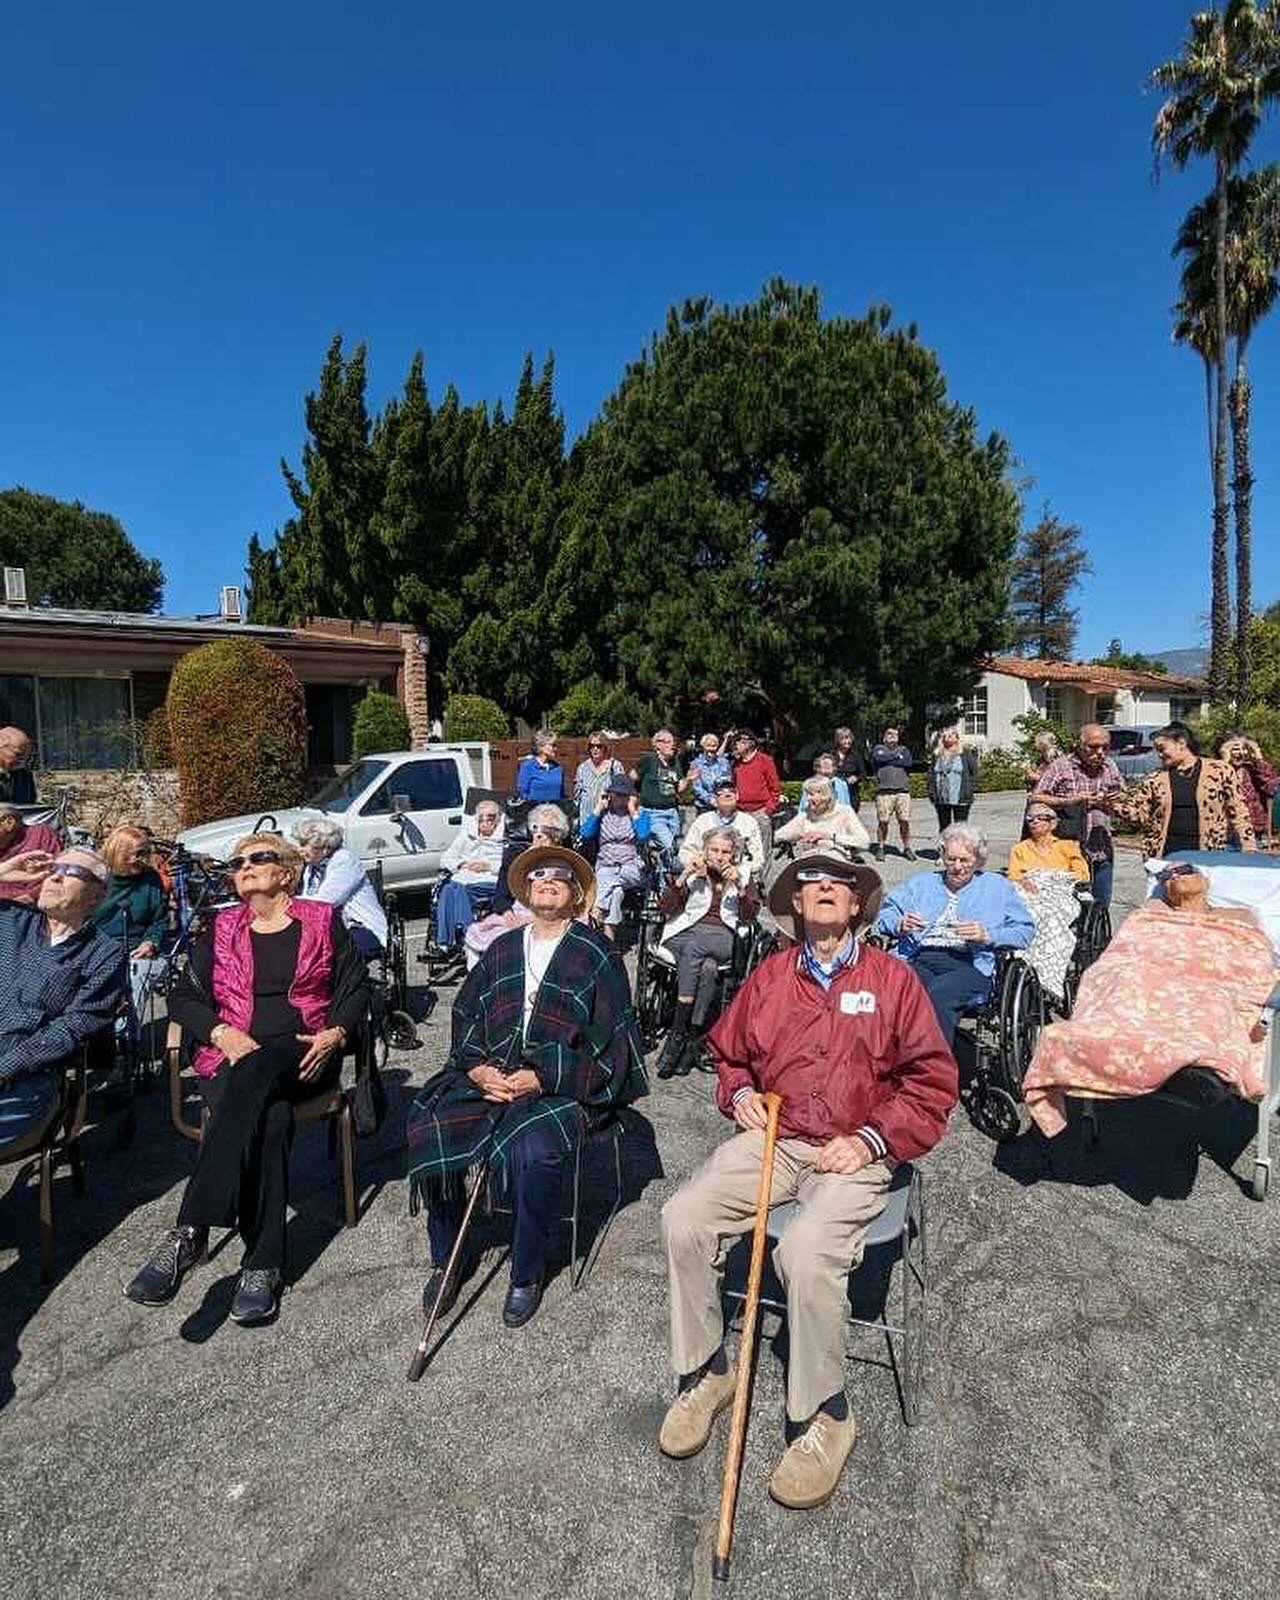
(1071,694)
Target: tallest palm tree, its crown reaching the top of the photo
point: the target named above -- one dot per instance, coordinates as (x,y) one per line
(1215,94)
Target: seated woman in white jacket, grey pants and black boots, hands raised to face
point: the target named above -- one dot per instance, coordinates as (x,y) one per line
(703,910)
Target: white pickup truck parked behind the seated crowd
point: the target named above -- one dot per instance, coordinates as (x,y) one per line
(402,809)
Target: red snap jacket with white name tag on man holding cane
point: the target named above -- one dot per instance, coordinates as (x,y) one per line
(865,1057)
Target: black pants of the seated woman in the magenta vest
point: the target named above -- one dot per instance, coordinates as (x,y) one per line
(242,1174)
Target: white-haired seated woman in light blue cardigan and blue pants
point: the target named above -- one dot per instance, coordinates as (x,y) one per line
(950,924)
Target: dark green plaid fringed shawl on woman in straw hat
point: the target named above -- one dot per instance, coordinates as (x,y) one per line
(583,1044)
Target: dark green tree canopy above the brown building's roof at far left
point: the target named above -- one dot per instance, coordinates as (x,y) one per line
(76,558)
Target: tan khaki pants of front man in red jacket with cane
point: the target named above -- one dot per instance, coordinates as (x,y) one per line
(814,1258)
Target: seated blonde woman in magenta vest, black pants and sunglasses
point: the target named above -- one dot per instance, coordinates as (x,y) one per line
(273,994)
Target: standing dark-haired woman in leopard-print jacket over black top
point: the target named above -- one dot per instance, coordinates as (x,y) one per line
(1191,804)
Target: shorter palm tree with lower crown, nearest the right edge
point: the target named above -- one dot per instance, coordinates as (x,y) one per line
(1254,287)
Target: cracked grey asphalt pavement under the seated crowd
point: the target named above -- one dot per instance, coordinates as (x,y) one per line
(1100,1423)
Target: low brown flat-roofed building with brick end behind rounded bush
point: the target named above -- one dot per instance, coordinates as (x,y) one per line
(76,681)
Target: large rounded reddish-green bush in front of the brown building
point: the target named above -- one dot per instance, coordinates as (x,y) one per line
(239,730)
